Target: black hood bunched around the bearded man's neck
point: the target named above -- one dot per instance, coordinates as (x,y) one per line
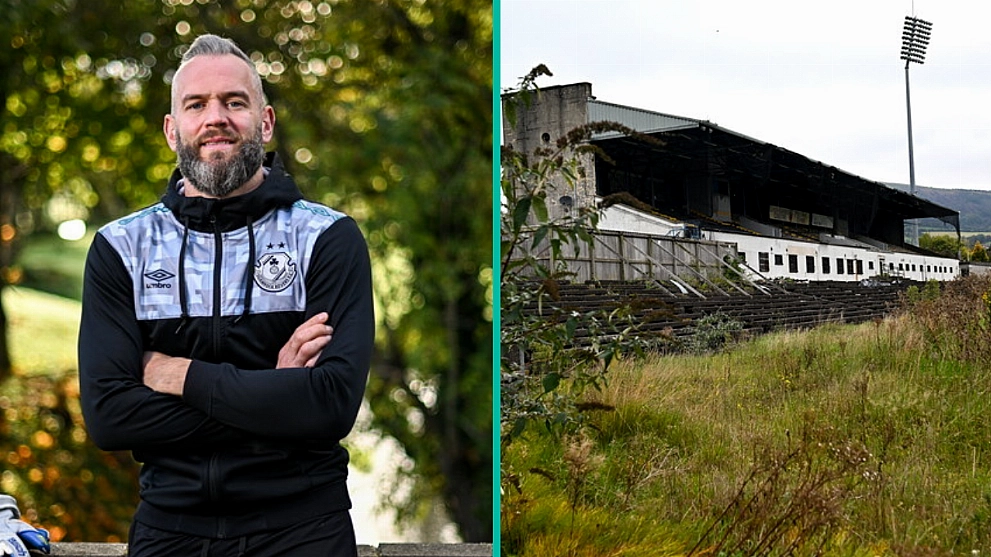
(278,190)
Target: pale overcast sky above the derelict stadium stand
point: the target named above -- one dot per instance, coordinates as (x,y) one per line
(823,79)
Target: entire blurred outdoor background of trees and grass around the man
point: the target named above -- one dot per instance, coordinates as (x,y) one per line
(384,111)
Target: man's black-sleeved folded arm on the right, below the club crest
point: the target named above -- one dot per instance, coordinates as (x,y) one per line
(306,403)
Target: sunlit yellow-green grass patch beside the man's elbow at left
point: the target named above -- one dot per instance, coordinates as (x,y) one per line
(43,329)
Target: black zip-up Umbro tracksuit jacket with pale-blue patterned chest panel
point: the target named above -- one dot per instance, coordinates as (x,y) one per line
(226,282)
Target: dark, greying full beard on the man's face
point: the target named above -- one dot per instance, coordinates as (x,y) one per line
(218,178)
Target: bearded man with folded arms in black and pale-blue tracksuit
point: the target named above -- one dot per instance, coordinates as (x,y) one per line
(226,336)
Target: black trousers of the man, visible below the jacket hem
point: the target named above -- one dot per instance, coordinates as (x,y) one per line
(325,536)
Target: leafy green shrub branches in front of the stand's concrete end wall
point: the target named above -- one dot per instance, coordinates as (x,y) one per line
(551,353)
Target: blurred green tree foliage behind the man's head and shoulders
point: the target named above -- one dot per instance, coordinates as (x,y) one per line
(384,111)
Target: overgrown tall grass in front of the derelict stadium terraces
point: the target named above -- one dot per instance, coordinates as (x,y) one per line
(870,439)
